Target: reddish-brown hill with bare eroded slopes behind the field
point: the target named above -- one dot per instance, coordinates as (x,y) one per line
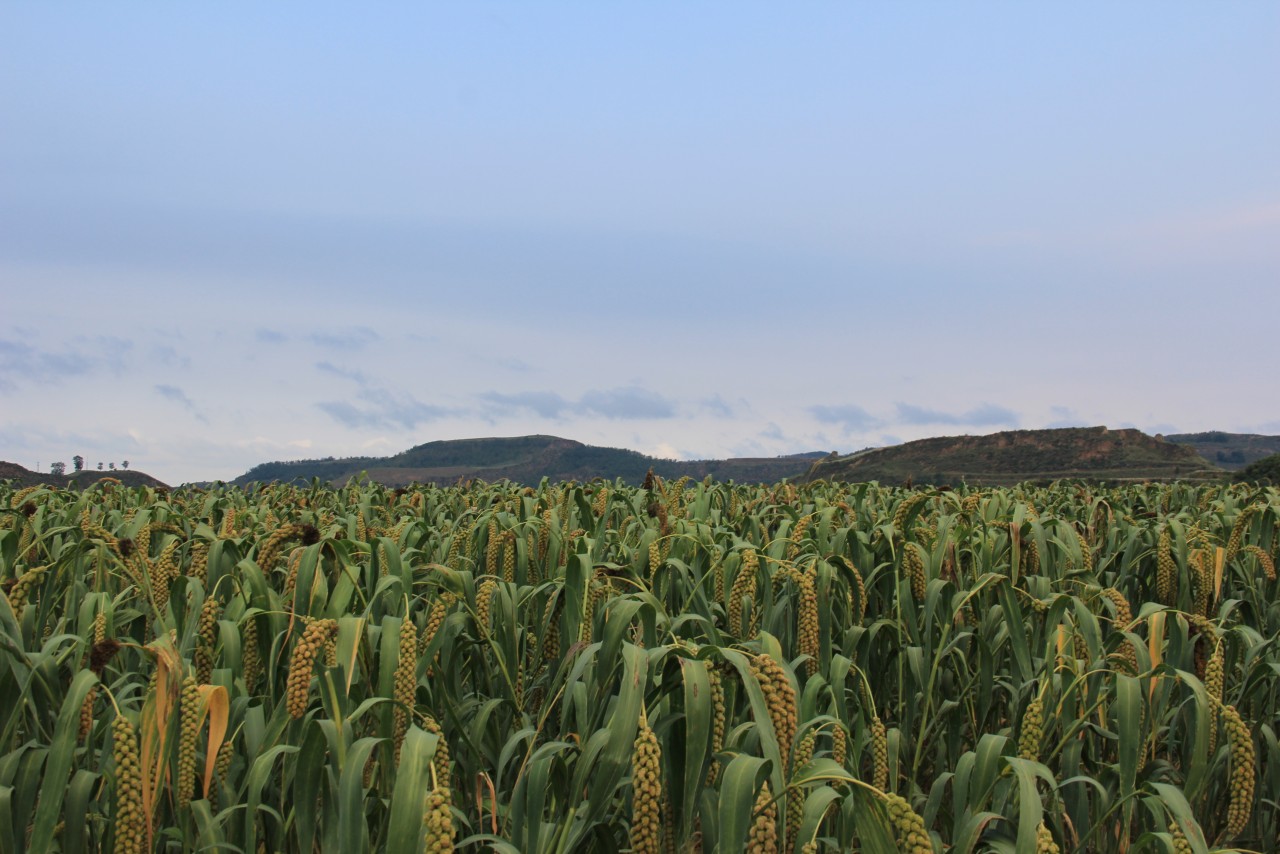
(1011,458)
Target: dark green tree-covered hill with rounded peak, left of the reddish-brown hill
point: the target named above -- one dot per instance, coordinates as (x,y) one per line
(525,459)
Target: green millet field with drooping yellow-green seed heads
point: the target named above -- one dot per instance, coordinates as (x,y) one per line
(675,668)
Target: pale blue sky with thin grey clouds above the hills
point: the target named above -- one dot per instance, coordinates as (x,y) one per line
(244,232)
